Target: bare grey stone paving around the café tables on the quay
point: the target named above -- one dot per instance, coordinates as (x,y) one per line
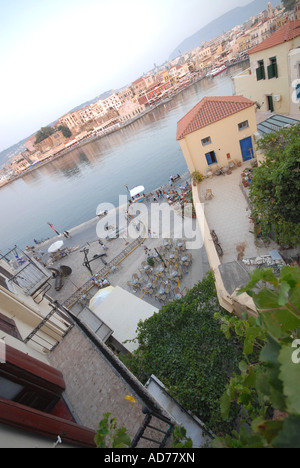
(126,254)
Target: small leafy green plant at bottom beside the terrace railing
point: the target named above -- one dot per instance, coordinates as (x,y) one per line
(110,435)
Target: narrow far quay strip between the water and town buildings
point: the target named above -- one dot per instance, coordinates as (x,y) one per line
(98,137)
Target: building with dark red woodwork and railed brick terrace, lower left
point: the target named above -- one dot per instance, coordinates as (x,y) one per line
(57,377)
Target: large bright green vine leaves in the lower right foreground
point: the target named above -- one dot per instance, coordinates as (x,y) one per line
(269,377)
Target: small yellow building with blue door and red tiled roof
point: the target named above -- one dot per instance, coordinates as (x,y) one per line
(216,132)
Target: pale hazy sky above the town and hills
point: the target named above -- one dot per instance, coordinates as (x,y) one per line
(58,54)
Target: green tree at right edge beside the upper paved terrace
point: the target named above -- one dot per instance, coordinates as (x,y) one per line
(275,188)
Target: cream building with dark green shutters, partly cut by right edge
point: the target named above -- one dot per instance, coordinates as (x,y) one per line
(268,79)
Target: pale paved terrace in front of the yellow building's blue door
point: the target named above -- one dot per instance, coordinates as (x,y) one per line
(228,215)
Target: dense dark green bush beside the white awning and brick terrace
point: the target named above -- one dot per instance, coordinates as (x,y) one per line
(184,347)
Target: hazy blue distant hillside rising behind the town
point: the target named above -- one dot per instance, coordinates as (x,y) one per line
(222,24)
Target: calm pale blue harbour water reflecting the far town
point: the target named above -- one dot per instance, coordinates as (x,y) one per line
(66,192)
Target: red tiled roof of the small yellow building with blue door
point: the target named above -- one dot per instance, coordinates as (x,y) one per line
(209,111)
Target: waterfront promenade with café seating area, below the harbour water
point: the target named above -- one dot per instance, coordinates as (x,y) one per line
(123,257)
